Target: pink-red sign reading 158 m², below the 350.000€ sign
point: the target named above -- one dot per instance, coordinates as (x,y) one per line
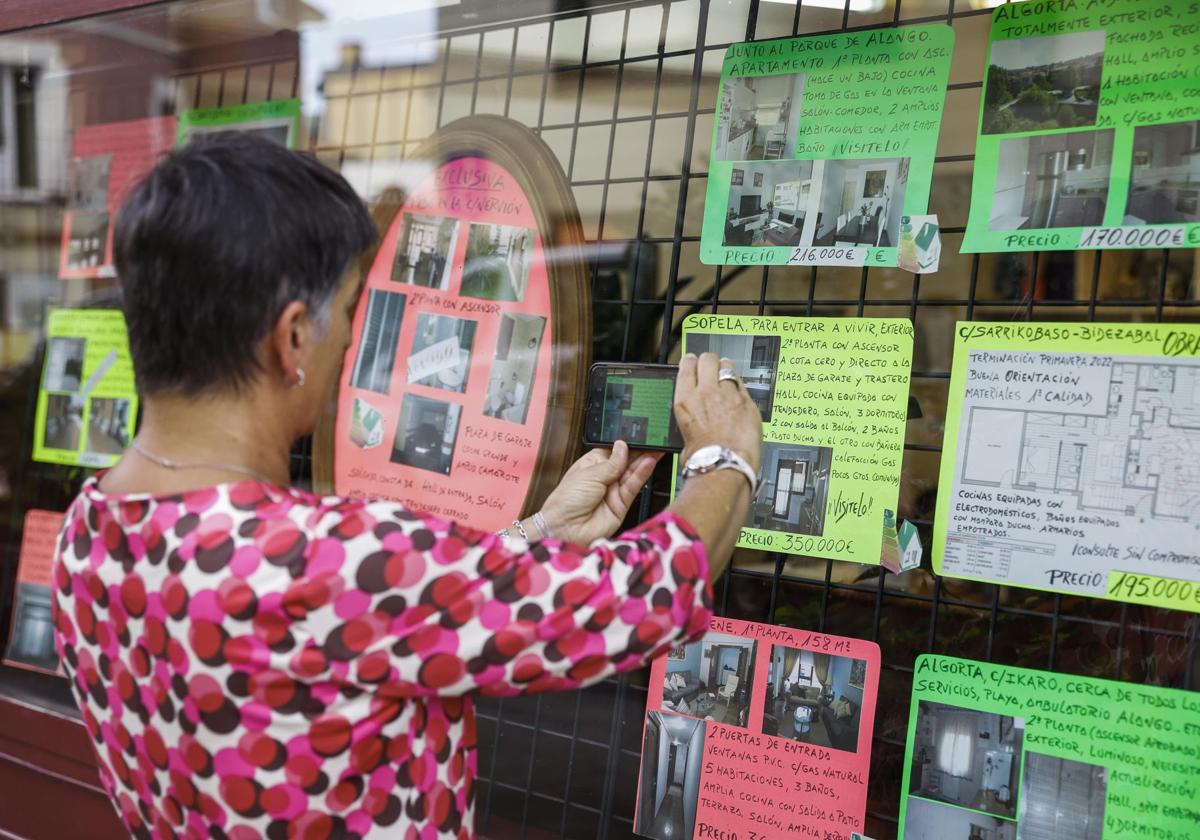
(759,731)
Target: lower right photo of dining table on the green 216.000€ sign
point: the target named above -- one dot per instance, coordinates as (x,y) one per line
(861,202)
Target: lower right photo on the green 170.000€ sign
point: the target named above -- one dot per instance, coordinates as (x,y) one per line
(1165,178)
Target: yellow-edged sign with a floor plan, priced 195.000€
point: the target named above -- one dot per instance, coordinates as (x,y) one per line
(1070,461)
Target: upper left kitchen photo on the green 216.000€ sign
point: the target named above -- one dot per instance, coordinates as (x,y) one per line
(759,118)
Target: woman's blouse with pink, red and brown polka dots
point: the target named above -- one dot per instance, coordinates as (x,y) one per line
(254,662)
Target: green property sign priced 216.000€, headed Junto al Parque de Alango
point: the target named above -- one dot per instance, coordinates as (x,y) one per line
(821,145)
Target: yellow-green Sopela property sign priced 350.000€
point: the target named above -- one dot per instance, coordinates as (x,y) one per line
(835,400)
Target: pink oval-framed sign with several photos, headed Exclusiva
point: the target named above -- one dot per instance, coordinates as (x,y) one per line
(446,385)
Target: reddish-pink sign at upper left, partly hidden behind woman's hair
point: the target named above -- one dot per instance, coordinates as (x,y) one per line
(107,161)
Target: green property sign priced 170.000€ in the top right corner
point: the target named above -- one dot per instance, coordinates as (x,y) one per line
(1089,128)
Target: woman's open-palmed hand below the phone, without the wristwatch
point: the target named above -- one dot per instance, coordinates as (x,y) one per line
(592,500)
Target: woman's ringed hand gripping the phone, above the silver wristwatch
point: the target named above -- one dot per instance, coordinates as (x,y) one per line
(713,412)
